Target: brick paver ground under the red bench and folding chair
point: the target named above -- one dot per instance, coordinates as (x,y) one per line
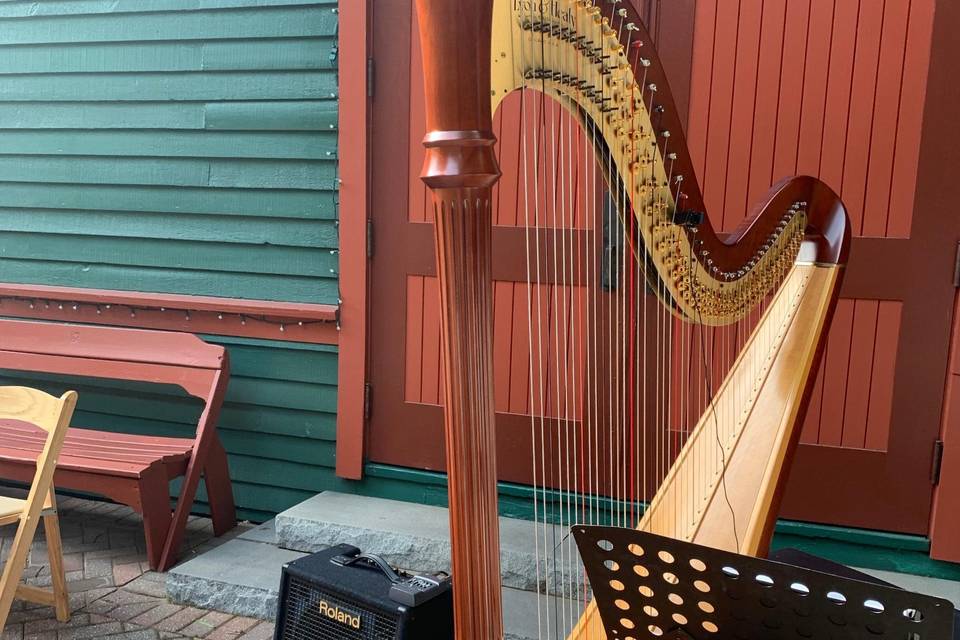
(113,593)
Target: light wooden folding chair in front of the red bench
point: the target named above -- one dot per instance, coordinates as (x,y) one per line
(53,416)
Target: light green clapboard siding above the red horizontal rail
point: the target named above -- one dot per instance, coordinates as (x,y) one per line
(174,146)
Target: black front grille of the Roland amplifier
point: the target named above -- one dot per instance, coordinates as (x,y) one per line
(303,620)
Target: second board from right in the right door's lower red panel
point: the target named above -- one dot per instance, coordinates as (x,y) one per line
(859,373)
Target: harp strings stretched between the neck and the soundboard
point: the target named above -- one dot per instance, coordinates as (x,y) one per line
(615,382)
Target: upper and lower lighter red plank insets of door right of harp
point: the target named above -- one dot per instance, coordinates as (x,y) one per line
(835,89)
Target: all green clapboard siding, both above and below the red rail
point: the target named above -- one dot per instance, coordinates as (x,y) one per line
(183,146)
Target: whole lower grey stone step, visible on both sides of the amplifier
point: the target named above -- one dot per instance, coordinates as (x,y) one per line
(242,577)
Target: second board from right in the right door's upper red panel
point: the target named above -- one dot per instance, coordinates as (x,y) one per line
(885,116)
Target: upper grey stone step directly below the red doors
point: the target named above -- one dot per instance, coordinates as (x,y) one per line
(416,537)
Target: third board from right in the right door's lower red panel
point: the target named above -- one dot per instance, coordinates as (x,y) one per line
(835,375)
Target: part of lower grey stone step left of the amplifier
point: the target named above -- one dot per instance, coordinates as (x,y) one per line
(240,577)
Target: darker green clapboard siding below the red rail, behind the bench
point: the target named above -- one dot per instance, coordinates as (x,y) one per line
(278,423)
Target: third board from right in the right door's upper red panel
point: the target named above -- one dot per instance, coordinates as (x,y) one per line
(860,120)
